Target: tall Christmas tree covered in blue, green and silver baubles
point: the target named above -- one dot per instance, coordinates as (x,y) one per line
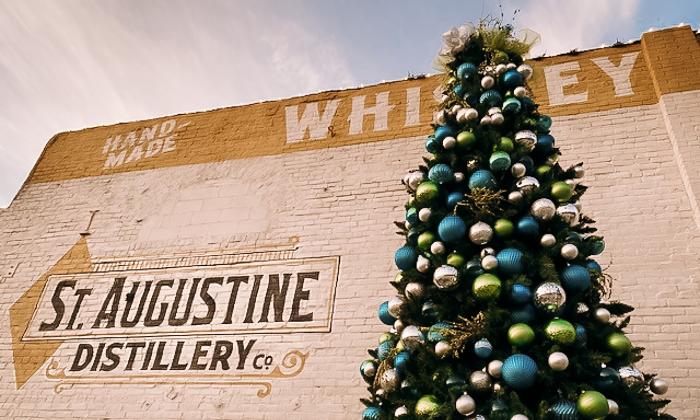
(501,311)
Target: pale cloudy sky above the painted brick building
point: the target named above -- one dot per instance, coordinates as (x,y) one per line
(71,64)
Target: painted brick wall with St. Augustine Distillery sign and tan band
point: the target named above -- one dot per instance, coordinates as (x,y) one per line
(238,190)
